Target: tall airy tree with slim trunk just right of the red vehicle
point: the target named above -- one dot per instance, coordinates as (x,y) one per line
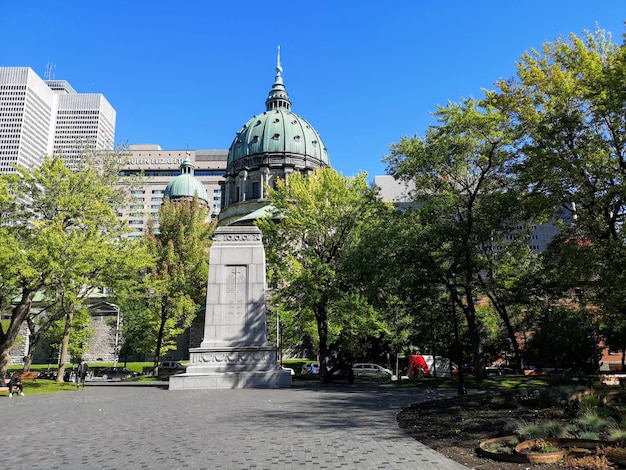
(467,202)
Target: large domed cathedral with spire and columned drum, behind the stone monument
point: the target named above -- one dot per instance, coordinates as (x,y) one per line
(270,146)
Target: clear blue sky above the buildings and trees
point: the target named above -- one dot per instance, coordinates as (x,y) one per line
(363,73)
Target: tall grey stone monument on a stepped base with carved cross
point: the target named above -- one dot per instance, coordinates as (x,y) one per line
(234,352)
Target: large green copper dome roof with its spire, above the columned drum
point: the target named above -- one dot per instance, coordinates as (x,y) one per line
(278,131)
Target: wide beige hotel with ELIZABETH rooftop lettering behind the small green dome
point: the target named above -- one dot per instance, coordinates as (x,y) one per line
(160,168)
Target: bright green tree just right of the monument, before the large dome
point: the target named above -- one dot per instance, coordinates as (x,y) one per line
(314,220)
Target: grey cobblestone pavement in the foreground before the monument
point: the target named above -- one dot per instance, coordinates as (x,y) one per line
(146,426)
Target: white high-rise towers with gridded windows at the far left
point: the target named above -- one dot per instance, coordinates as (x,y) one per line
(45,117)
